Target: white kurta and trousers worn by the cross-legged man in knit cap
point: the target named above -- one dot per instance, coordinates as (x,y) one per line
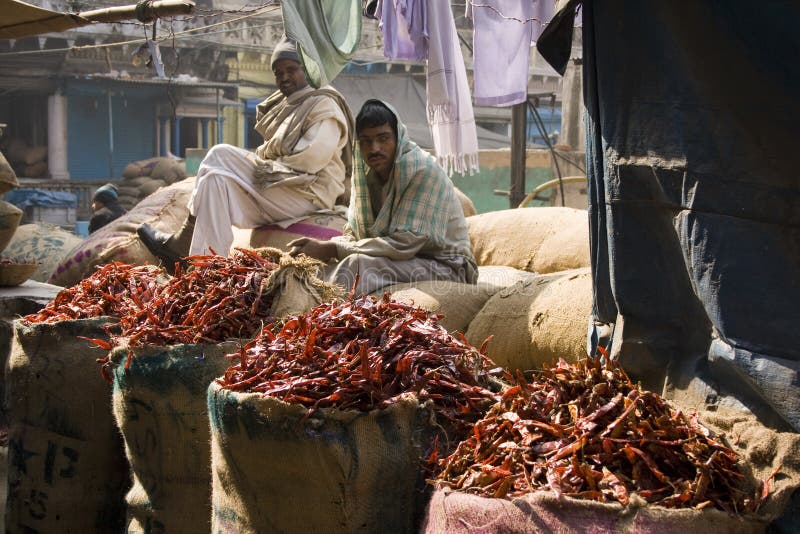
(226,194)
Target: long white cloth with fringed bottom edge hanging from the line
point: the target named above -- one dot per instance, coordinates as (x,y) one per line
(450,113)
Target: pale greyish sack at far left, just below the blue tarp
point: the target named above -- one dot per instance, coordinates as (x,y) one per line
(42,243)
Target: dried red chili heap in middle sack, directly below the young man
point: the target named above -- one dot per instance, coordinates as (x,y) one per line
(362,354)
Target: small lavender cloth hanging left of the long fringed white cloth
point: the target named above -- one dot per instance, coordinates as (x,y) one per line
(404,27)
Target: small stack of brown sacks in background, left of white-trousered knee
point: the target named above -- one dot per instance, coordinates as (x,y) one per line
(142,178)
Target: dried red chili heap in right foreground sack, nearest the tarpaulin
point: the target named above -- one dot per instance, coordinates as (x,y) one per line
(587,431)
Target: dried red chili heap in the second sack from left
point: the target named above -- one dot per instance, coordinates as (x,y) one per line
(215,298)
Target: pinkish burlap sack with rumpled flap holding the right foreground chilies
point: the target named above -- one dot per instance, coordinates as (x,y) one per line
(762,452)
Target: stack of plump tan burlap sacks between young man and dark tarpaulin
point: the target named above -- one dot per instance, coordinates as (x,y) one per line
(534,290)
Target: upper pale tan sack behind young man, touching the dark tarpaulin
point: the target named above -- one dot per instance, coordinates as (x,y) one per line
(541,240)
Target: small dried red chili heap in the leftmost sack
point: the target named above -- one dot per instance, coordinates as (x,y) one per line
(114,290)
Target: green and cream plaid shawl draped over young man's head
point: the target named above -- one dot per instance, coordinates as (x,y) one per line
(418,201)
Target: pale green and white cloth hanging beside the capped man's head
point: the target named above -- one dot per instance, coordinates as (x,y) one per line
(327,34)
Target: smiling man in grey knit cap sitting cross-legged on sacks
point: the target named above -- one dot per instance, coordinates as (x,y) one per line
(298,170)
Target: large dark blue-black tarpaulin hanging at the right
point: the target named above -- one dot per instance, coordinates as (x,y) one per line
(693,120)
